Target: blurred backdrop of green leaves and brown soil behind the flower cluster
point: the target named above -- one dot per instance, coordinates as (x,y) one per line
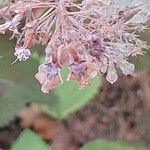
(99,117)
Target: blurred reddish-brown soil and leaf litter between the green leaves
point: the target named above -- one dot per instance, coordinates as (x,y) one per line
(119,111)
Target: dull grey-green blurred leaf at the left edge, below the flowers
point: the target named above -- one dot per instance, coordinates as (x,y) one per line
(17,96)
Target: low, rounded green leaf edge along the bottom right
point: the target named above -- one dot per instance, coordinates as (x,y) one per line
(105,145)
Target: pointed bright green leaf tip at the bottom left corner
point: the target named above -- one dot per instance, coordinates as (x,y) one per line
(28,140)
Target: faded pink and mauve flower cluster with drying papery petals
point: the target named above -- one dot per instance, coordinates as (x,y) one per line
(89,37)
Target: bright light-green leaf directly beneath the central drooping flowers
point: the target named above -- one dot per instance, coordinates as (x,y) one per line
(71,98)
